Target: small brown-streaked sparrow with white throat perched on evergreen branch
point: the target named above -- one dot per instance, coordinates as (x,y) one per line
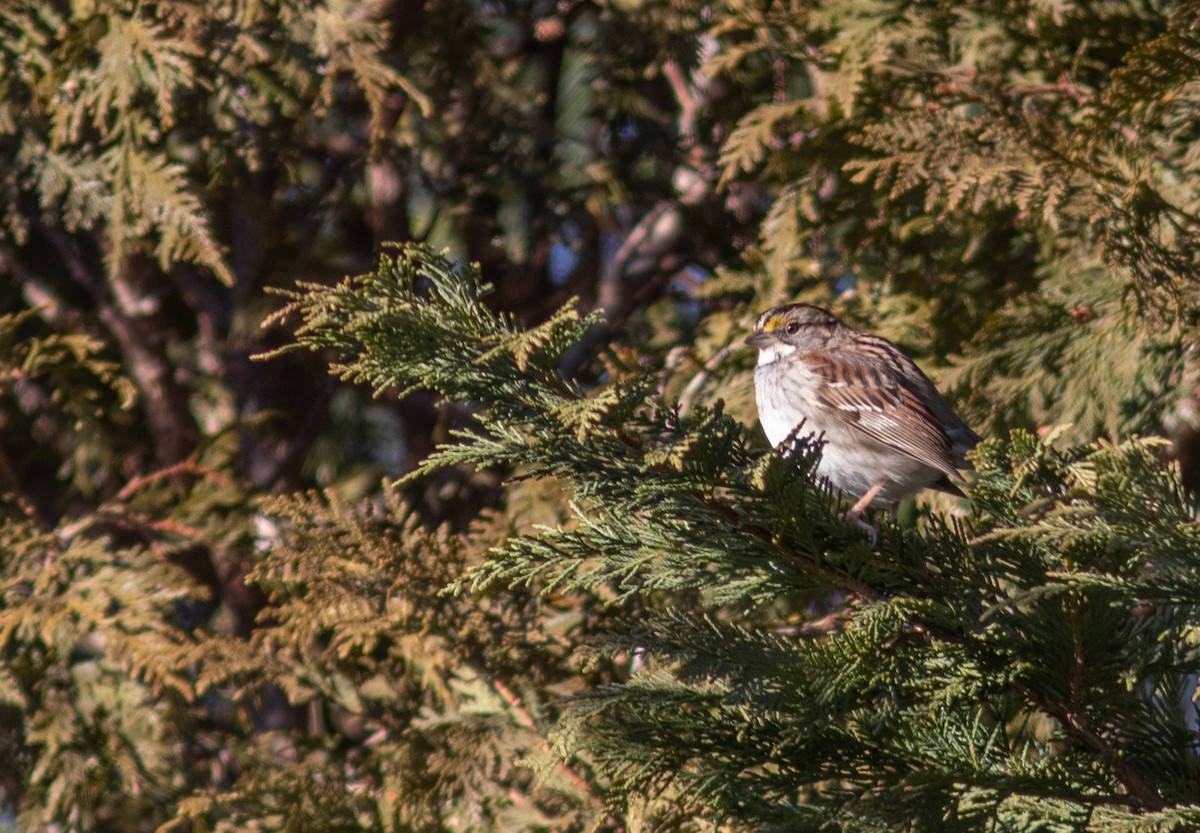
(887,433)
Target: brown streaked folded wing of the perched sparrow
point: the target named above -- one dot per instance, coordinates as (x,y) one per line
(884,405)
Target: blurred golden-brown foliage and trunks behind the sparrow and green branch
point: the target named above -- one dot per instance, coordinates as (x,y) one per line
(1007,190)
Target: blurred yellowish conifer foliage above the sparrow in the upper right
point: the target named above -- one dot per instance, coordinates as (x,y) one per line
(1004,175)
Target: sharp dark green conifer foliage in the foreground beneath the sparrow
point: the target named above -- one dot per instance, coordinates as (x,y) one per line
(1017,672)
